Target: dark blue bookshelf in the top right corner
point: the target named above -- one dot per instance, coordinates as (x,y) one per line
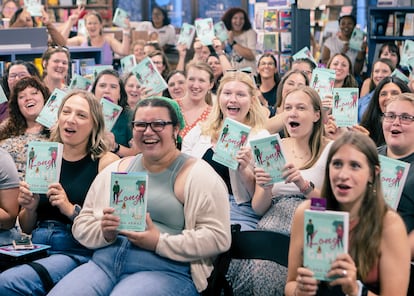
(379,18)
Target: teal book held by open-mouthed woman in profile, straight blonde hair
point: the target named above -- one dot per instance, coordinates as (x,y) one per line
(268,154)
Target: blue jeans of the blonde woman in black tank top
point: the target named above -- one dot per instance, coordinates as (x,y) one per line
(23,279)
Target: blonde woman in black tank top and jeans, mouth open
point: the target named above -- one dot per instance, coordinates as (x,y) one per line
(48,218)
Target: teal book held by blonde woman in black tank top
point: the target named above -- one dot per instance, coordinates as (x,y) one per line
(44,161)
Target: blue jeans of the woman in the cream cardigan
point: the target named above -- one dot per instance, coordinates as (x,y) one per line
(123,269)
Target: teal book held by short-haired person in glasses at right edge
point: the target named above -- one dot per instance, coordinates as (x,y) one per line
(394,173)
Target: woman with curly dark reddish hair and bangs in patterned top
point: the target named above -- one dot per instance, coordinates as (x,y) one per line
(29,95)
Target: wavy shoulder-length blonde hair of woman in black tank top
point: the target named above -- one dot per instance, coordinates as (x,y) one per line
(96,146)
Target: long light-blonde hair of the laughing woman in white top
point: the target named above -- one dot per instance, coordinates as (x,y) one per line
(255,118)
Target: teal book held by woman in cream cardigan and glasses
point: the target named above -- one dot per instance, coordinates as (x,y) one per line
(129,199)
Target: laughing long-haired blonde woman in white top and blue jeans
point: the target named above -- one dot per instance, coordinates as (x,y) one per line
(236,99)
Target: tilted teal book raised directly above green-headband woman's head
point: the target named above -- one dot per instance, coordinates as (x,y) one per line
(148,76)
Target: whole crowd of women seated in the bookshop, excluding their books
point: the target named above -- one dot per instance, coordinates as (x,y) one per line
(193,199)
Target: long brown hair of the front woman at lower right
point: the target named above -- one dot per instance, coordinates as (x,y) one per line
(366,236)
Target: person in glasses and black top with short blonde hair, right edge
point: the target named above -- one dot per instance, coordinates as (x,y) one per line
(397,124)
